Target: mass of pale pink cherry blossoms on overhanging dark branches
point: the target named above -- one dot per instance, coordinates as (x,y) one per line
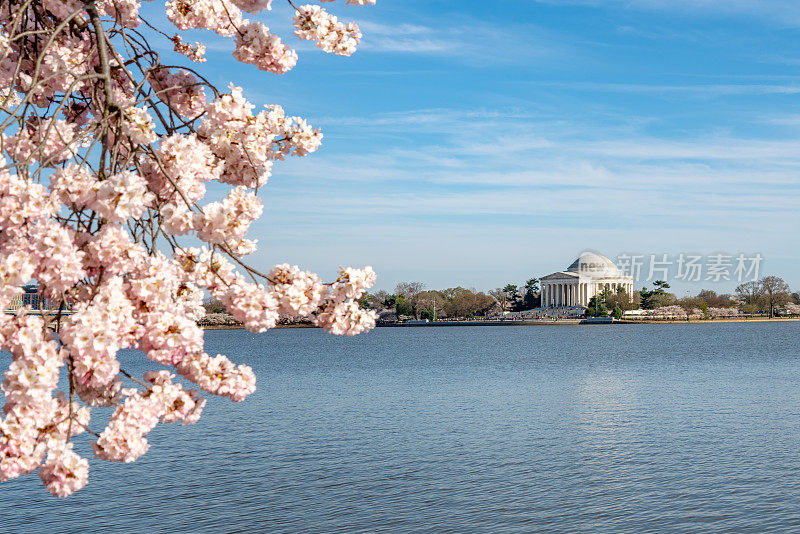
(105,161)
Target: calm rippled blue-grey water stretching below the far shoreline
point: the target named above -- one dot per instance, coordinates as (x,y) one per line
(643,428)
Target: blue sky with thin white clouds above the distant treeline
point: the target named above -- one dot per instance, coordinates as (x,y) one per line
(479,143)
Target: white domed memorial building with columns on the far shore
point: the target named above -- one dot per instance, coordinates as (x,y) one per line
(589,275)
